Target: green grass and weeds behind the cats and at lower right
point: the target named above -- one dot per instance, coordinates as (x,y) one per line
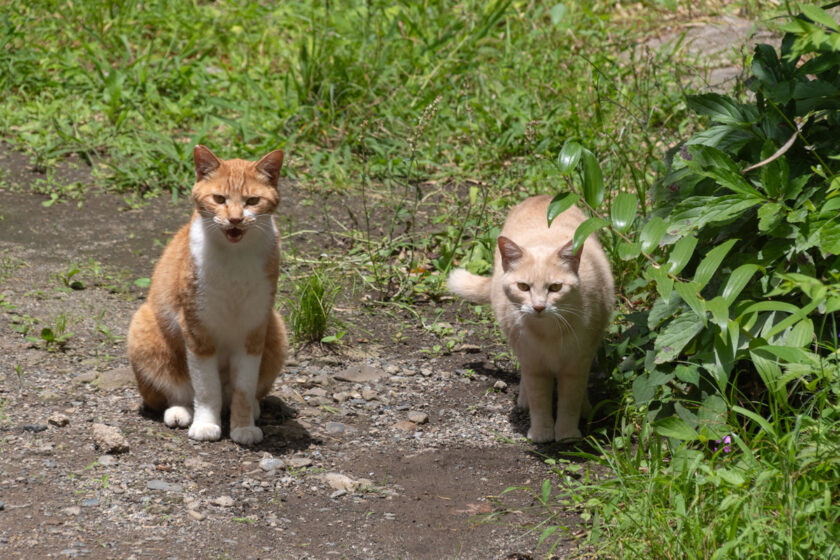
(437,116)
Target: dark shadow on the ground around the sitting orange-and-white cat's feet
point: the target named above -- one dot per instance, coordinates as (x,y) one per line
(282,434)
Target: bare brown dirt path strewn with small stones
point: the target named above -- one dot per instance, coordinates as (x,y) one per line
(381,451)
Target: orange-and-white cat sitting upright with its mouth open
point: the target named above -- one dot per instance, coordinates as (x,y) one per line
(208,336)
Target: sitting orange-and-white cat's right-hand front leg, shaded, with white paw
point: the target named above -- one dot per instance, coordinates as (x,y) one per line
(244,408)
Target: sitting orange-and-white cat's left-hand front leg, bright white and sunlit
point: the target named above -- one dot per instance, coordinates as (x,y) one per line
(207,403)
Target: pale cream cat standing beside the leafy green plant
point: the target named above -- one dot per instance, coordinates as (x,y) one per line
(553,305)
